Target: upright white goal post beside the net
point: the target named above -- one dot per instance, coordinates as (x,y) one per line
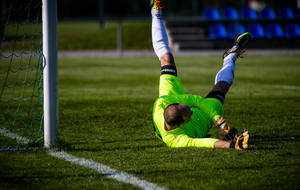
(50,74)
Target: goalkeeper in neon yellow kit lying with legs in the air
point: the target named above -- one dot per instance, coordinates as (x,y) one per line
(182,120)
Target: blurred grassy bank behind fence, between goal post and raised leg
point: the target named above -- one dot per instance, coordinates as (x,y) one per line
(89,36)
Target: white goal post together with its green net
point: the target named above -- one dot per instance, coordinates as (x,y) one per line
(28,74)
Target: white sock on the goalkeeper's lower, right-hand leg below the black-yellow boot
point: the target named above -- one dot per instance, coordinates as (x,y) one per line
(227,72)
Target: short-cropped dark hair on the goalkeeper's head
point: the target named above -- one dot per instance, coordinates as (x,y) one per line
(173,115)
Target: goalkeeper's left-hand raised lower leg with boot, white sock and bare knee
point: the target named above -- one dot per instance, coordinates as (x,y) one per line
(159,36)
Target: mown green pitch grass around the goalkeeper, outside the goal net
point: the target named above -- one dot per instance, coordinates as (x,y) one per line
(105,115)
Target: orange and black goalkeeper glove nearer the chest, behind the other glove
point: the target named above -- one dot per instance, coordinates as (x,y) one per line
(226,131)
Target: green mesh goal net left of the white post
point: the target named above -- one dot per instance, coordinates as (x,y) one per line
(21,74)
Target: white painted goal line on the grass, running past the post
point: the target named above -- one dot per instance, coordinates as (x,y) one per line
(107,171)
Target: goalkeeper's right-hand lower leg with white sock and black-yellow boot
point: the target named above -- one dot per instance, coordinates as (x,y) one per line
(224,78)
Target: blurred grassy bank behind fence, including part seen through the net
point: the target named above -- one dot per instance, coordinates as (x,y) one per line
(80,36)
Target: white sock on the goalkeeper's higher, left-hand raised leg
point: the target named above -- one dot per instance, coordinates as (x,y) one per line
(159,35)
